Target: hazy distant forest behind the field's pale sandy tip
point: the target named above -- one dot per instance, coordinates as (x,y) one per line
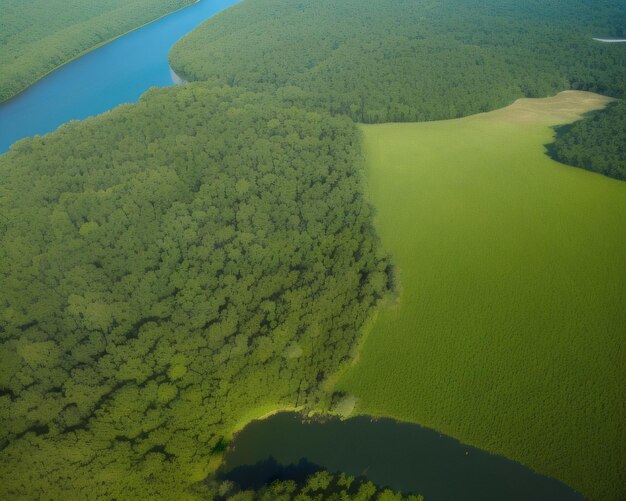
(402,60)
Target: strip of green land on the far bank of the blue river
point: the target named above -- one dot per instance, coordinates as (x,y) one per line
(37,36)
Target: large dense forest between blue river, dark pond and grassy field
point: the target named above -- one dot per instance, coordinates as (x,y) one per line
(167,269)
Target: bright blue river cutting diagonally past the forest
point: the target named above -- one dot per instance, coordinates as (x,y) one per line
(116,73)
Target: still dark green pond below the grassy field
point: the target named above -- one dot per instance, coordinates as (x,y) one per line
(402,456)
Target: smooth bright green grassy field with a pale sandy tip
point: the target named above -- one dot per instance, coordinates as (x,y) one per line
(508,332)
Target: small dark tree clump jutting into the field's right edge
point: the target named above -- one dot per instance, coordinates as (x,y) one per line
(597,143)
